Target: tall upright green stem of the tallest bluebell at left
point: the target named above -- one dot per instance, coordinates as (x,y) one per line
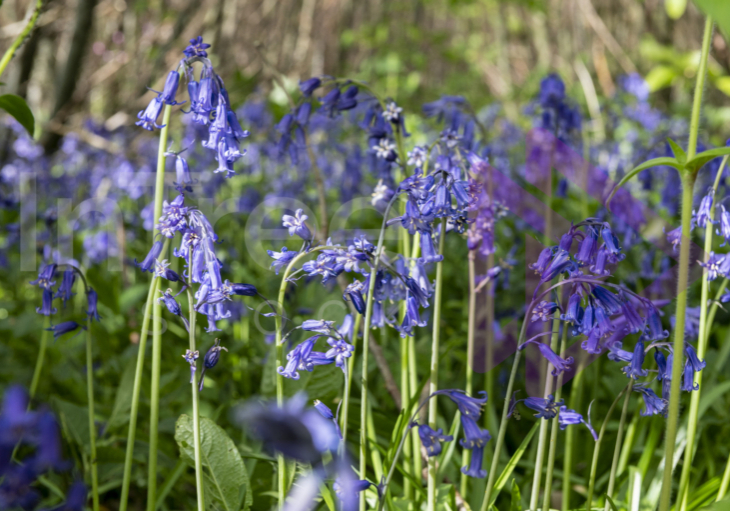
(157,325)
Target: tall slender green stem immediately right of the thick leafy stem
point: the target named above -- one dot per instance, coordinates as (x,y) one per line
(703,336)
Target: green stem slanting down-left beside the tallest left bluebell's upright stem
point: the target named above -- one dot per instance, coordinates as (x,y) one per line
(134,410)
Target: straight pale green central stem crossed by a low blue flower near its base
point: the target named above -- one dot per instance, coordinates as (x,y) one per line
(433,385)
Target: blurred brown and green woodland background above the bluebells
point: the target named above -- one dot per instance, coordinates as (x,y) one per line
(95,57)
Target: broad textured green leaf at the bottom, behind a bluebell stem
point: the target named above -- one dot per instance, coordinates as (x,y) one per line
(226,479)
